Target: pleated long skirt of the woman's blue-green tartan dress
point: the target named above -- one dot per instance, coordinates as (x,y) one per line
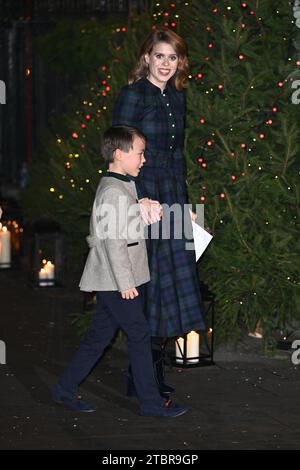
(172,297)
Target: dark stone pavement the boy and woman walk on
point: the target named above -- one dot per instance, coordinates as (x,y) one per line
(245,401)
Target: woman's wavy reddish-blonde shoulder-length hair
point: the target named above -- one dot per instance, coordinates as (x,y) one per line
(180,78)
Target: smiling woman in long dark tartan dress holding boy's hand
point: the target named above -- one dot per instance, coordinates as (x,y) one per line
(154,102)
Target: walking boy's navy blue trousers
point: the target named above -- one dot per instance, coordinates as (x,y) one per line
(113,312)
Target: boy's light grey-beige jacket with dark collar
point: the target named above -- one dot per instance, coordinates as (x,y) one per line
(119,263)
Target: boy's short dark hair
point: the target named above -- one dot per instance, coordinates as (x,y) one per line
(119,137)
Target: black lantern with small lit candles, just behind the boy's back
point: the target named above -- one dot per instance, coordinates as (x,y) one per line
(47,255)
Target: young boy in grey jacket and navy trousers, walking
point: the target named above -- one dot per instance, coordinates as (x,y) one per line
(117,268)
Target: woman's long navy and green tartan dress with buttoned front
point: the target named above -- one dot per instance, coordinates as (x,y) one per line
(172,297)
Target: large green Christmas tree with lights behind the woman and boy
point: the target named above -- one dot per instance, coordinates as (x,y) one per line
(241,149)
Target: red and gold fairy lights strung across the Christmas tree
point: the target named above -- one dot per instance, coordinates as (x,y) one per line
(171,17)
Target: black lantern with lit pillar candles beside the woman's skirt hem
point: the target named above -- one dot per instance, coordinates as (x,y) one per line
(196,348)
